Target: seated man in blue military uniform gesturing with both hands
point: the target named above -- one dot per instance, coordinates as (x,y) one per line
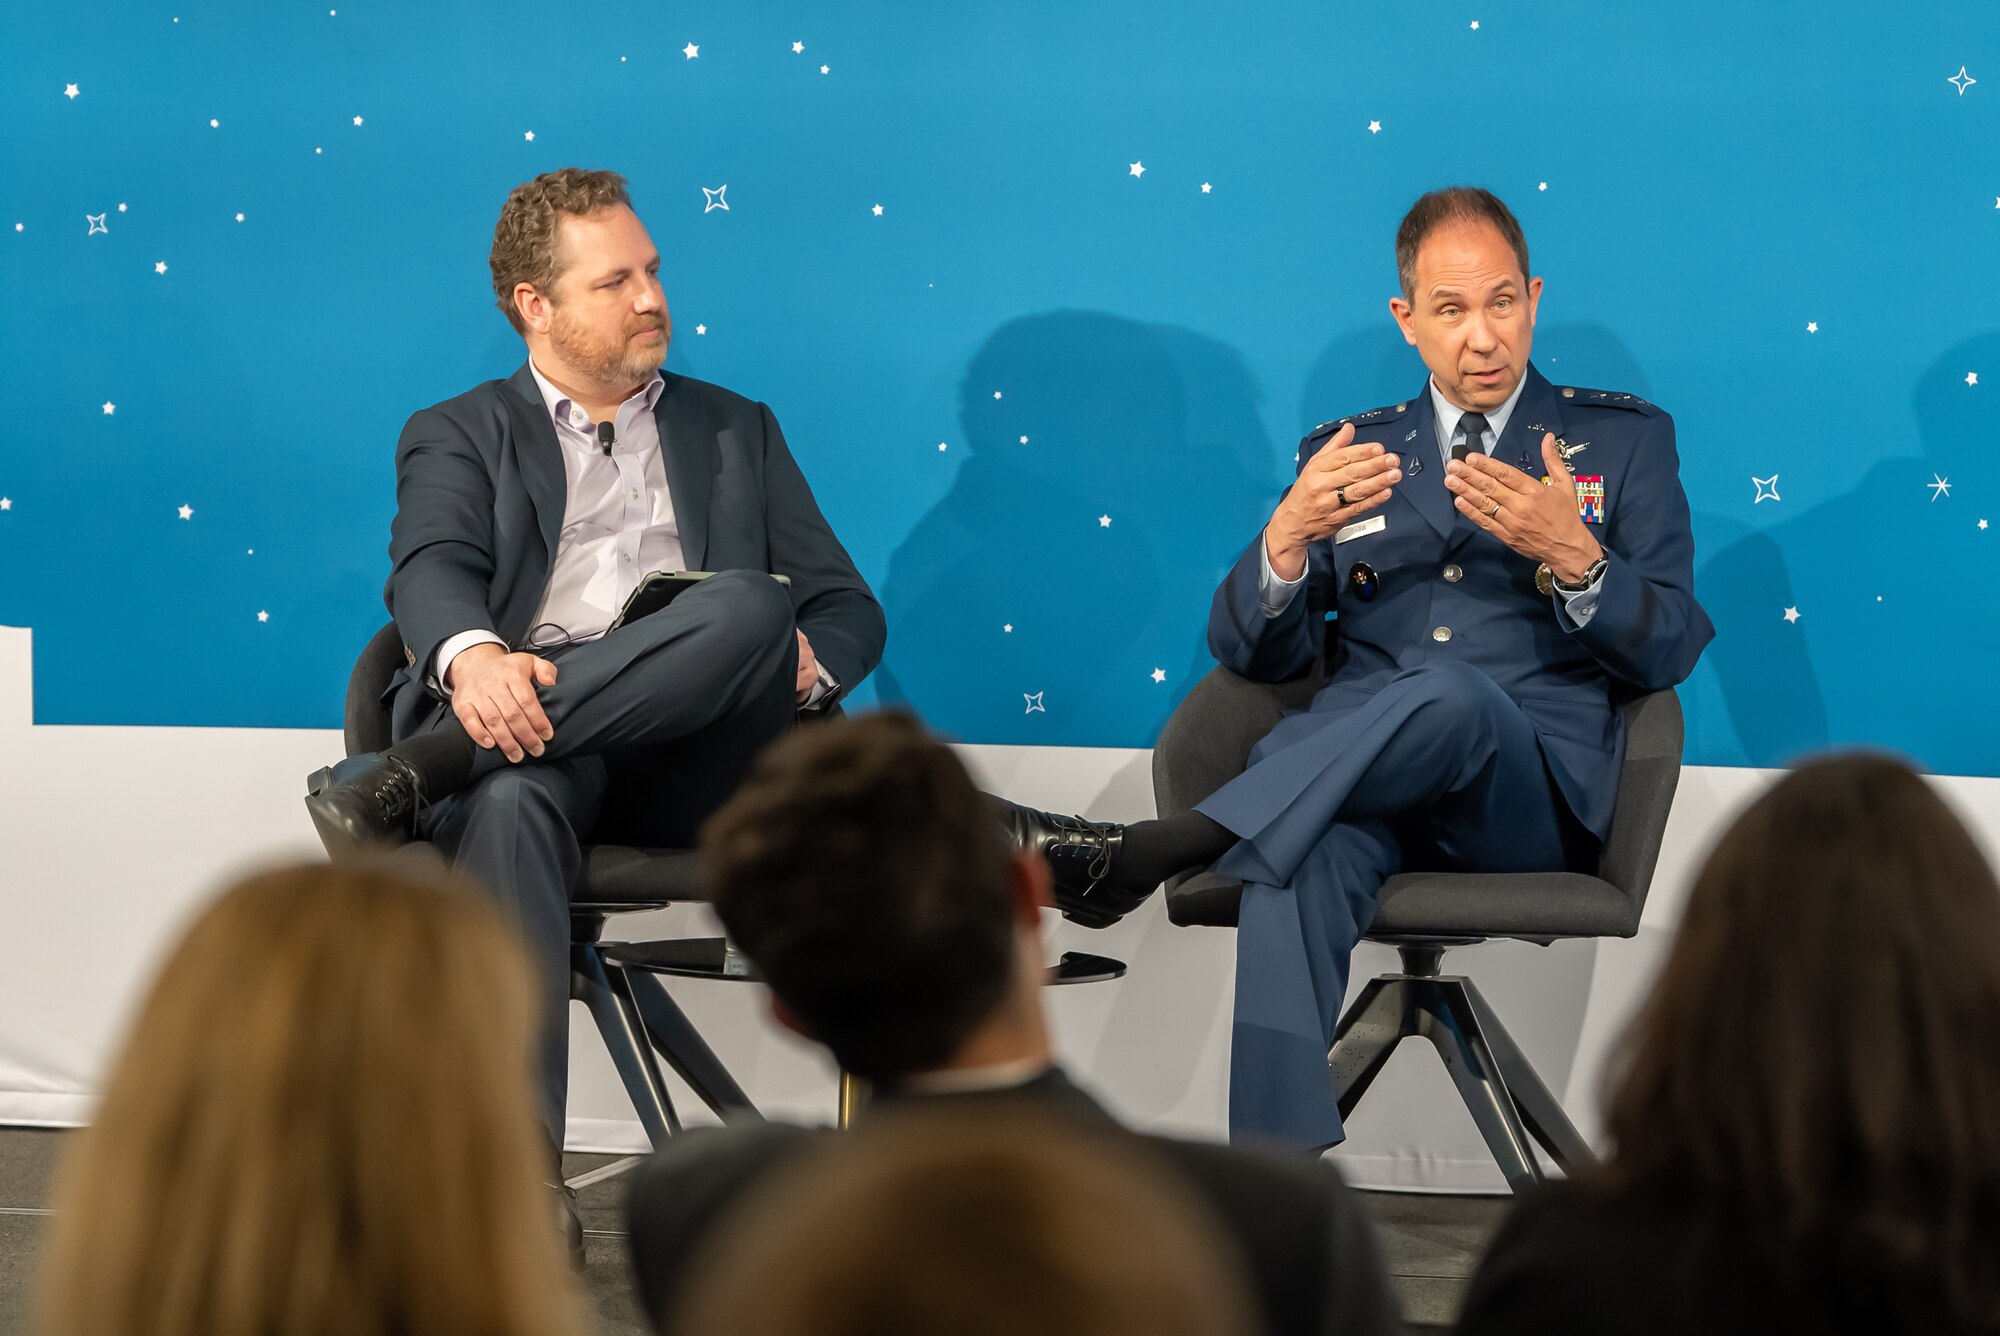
(1507,561)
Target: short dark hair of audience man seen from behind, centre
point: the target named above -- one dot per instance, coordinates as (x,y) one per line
(869,881)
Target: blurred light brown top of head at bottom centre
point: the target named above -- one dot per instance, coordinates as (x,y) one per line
(945,1221)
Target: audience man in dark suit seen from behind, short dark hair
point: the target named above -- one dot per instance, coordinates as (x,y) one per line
(867,881)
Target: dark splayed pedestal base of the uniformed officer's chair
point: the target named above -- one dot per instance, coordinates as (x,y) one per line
(1499,1085)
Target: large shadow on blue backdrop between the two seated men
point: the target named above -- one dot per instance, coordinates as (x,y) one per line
(1013,583)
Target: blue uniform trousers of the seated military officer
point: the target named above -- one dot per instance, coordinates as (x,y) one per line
(1439,771)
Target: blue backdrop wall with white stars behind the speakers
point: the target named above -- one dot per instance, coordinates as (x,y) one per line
(1043,293)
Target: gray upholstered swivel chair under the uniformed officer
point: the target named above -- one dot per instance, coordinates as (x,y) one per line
(1427,913)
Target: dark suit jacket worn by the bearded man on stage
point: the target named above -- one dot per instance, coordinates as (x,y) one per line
(479,507)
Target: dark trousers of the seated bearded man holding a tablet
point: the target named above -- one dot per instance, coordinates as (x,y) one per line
(655,725)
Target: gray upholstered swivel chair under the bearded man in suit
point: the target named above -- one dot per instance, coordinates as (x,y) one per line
(631,1007)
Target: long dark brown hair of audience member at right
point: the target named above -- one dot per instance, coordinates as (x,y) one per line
(1819,1059)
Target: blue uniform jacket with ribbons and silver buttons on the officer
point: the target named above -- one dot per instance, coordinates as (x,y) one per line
(1451,591)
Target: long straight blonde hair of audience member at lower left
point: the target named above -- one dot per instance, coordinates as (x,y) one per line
(321,1125)
